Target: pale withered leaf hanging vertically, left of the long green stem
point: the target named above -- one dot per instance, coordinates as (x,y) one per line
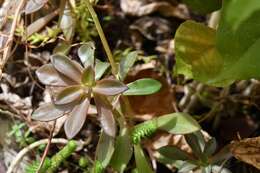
(67,23)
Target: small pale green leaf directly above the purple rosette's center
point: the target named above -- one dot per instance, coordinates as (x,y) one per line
(86,54)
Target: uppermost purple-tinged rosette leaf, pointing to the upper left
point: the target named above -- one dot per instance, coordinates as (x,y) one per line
(67,67)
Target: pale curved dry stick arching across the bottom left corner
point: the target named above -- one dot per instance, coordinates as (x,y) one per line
(24,151)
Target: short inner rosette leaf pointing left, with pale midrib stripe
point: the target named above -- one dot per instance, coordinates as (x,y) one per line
(68,95)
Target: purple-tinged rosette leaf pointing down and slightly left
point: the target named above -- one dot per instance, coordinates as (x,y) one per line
(76,119)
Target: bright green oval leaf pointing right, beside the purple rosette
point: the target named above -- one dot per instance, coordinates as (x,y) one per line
(144,86)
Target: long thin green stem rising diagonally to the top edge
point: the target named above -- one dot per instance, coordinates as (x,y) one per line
(102,37)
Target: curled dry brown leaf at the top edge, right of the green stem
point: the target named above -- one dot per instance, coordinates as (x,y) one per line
(145,7)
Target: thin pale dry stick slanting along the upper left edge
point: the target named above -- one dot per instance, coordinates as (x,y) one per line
(9,41)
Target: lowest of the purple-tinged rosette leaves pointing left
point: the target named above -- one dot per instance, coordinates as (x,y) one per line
(47,112)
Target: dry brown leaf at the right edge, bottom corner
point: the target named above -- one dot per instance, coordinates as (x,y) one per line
(247,150)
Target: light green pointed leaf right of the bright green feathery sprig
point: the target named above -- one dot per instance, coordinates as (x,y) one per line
(178,123)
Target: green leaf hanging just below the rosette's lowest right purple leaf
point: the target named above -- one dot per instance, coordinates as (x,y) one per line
(105,149)
